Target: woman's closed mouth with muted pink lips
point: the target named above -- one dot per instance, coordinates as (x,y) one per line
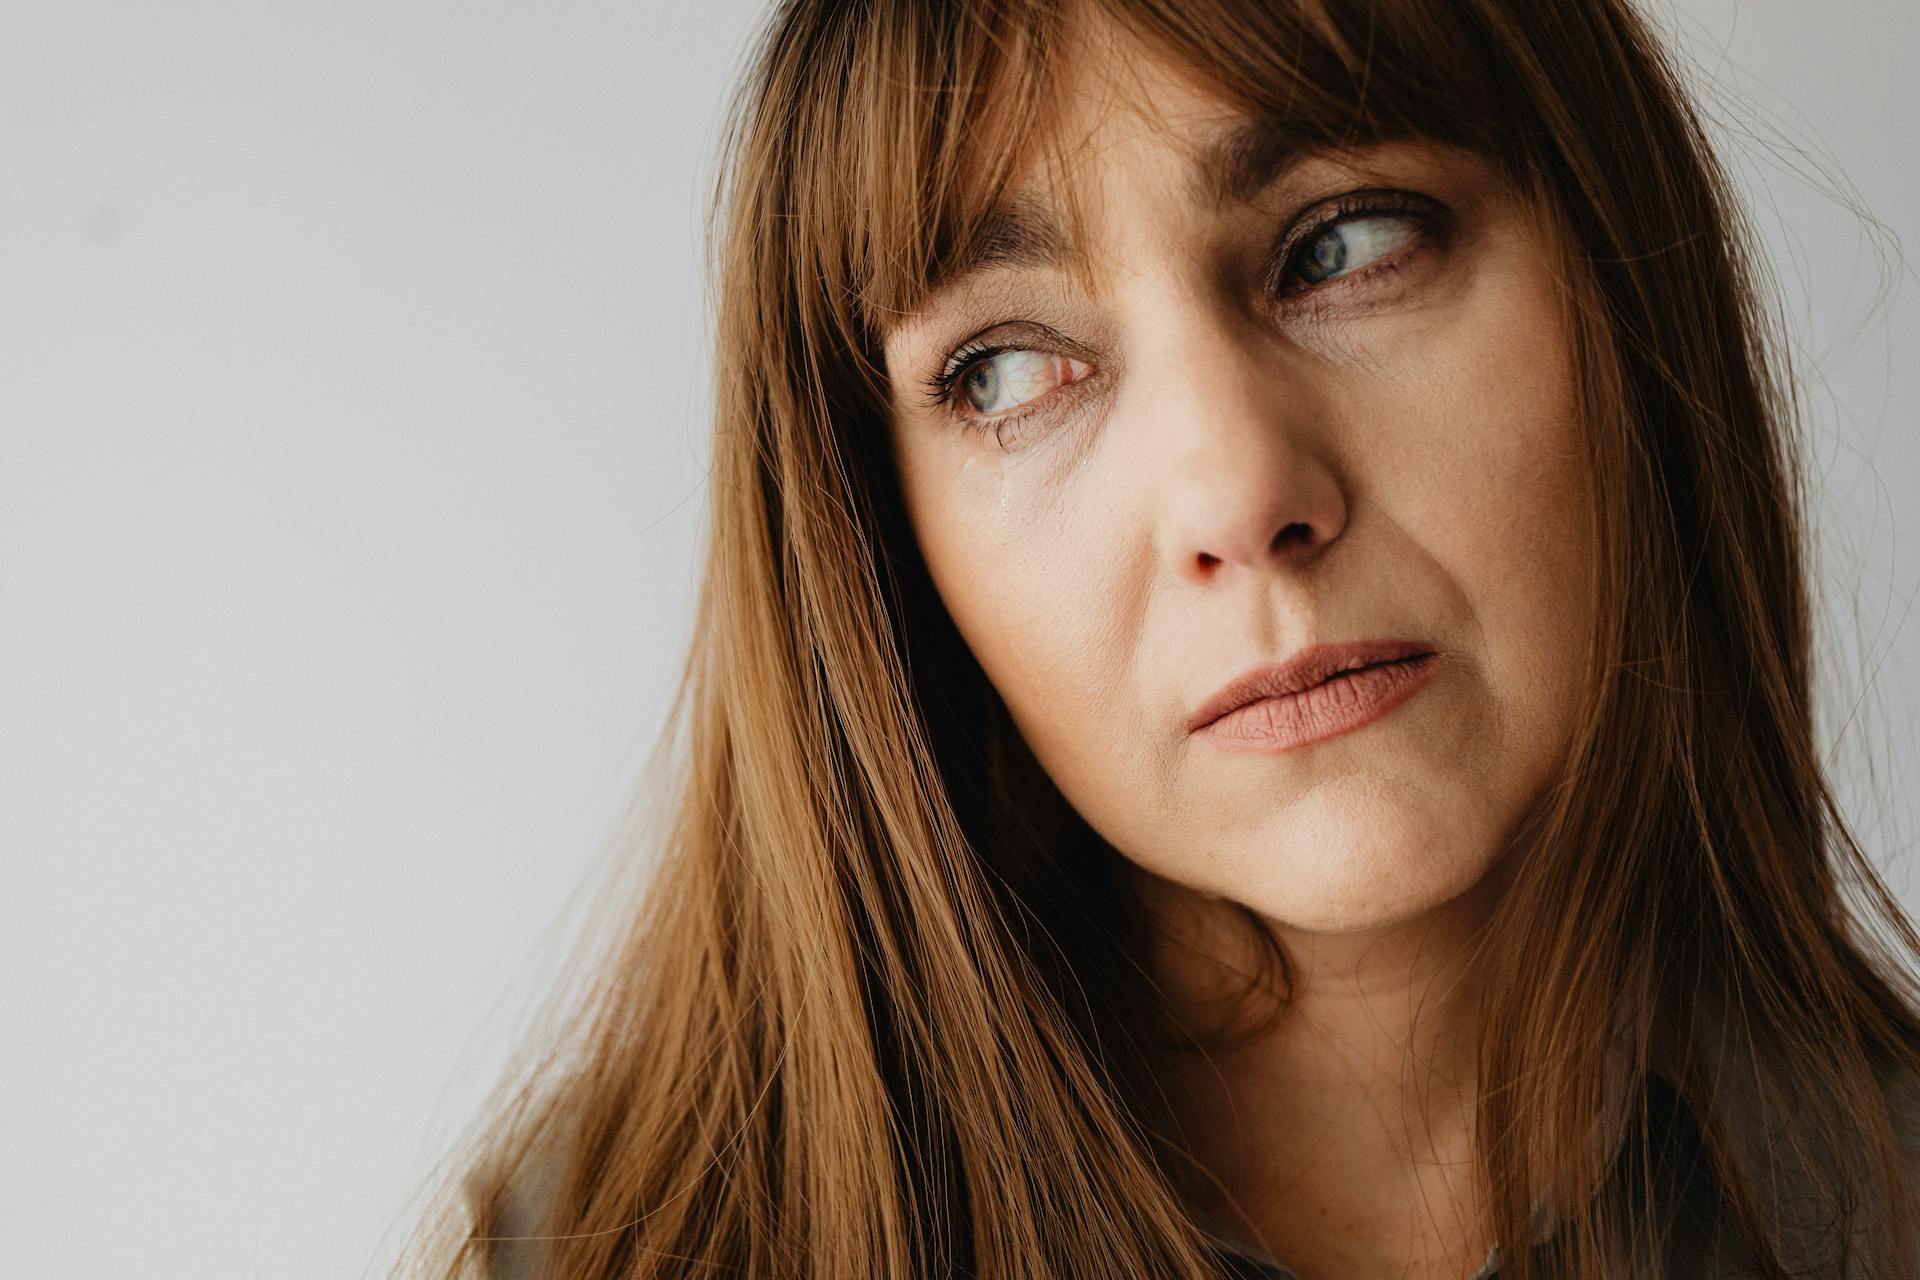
(1318,694)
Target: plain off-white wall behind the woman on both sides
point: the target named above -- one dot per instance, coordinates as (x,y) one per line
(352,415)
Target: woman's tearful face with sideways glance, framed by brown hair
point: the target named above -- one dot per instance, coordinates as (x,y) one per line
(1326,404)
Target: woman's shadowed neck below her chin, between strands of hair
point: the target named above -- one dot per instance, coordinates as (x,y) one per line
(1339,1137)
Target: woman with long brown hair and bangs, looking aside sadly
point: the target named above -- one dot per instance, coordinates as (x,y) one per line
(1251,707)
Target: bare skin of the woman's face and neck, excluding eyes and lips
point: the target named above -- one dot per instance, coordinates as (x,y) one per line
(1214,475)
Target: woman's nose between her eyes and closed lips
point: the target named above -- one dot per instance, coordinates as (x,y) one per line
(1247,481)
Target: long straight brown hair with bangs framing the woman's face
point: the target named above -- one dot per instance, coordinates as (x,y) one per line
(876,1008)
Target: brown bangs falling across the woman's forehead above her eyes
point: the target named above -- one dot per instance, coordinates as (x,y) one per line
(936,110)
